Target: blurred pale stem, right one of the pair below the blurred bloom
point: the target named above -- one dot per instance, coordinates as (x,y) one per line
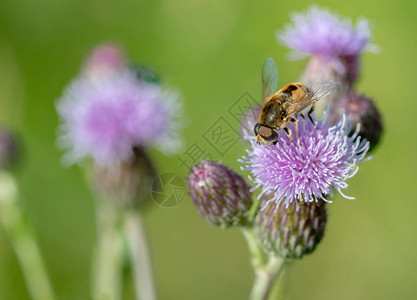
(140,258)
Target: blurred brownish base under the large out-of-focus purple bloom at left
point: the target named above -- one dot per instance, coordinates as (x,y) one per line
(127,183)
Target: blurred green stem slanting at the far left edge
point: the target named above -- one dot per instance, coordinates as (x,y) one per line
(22,240)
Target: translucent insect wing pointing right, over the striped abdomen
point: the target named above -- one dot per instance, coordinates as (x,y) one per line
(317,92)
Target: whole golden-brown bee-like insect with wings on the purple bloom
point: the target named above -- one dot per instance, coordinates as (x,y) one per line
(279,107)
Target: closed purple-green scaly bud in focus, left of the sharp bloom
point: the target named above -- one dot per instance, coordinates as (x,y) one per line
(221,196)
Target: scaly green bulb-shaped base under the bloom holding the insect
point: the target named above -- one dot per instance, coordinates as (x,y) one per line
(293,231)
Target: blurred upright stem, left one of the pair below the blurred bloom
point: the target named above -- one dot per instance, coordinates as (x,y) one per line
(107,272)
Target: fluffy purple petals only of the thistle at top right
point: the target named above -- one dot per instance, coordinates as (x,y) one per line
(318,32)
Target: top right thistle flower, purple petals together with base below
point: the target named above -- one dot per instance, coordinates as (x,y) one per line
(333,43)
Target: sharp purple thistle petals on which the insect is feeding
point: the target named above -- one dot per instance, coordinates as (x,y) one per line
(319,160)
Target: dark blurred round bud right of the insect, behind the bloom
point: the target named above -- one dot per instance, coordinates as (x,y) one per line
(360,109)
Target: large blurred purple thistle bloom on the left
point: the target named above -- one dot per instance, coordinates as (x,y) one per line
(106,119)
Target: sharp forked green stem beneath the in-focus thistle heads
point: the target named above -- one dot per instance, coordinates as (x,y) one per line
(265,273)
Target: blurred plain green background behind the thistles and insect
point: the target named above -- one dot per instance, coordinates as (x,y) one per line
(212,52)
